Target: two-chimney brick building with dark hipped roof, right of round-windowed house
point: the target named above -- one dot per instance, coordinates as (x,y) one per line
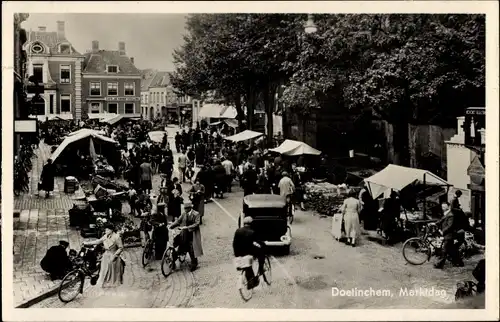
(111,83)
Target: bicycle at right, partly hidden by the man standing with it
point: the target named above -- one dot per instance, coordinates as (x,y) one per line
(431,243)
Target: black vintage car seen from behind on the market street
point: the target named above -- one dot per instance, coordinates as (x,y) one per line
(270,221)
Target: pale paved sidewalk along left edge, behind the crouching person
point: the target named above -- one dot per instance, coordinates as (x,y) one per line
(41,224)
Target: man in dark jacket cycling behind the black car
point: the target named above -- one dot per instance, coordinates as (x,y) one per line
(245,243)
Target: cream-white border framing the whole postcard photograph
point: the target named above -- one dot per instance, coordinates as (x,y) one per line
(492,154)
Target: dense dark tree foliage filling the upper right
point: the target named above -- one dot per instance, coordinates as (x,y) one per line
(407,67)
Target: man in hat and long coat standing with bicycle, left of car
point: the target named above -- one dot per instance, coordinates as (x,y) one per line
(190,236)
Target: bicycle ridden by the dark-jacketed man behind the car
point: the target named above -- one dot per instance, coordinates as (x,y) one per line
(249,261)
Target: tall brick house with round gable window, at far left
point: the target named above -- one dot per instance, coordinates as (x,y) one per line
(55,68)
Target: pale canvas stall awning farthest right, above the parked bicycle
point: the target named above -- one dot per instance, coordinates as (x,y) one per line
(395,177)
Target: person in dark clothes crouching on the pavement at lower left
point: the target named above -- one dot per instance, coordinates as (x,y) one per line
(56,261)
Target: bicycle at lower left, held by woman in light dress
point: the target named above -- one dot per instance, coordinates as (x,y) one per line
(76,277)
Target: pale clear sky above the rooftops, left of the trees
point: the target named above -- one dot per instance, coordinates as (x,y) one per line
(149,38)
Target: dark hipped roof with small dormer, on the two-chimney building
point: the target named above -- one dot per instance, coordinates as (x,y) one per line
(95,63)
